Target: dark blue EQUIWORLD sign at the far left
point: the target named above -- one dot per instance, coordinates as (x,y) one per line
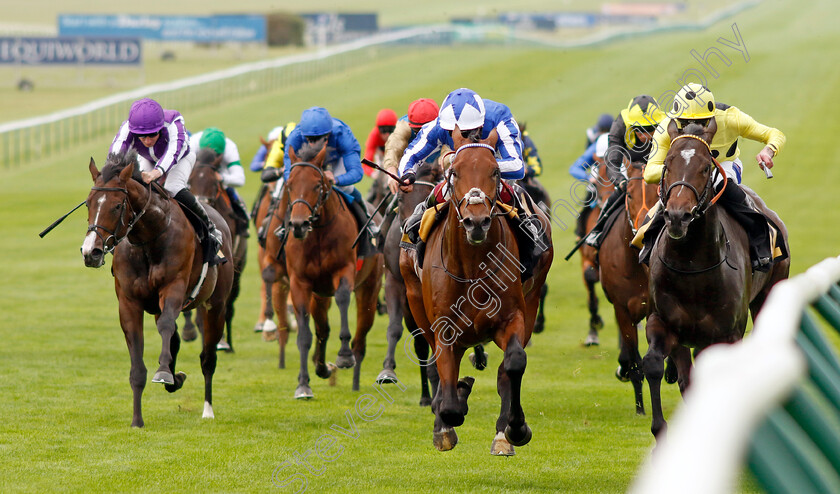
(71,51)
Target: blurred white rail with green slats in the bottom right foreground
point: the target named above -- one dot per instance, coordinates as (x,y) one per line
(771,401)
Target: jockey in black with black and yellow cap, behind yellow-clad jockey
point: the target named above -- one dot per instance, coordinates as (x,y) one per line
(630,138)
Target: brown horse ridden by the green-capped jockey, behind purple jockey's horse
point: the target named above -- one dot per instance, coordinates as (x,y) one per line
(205,184)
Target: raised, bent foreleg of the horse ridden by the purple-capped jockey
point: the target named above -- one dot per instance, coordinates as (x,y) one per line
(171,300)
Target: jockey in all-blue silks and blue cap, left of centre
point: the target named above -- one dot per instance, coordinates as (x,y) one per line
(343,156)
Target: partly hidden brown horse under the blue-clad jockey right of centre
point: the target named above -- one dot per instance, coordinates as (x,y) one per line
(589,255)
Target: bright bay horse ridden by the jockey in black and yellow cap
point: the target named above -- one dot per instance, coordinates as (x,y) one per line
(625,280)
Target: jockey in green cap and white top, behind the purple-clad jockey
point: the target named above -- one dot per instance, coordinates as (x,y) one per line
(231,171)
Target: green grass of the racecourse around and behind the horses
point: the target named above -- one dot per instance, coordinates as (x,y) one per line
(65,401)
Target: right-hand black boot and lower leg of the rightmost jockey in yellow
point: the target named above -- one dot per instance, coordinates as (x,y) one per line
(734,200)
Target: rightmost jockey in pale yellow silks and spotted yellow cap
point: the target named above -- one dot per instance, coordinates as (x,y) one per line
(694,103)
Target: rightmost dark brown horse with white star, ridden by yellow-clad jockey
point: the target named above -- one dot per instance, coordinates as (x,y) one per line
(701,286)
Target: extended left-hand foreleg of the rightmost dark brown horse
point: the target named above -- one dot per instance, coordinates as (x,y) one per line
(653,366)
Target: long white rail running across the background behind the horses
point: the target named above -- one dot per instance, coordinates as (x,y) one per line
(25,141)
